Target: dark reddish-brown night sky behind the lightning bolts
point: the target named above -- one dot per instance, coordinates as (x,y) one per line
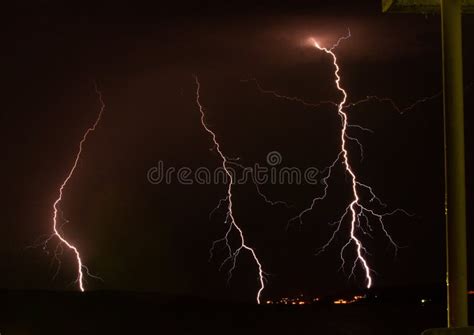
(143,55)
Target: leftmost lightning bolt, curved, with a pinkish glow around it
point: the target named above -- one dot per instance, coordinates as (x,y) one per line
(57,231)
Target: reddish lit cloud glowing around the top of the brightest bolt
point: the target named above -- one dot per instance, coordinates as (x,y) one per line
(373,35)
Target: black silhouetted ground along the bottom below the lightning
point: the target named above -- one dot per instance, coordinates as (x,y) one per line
(39,312)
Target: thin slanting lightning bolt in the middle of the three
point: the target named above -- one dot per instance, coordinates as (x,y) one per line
(230,219)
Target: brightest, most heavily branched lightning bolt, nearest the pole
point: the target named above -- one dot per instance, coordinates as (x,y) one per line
(357,213)
